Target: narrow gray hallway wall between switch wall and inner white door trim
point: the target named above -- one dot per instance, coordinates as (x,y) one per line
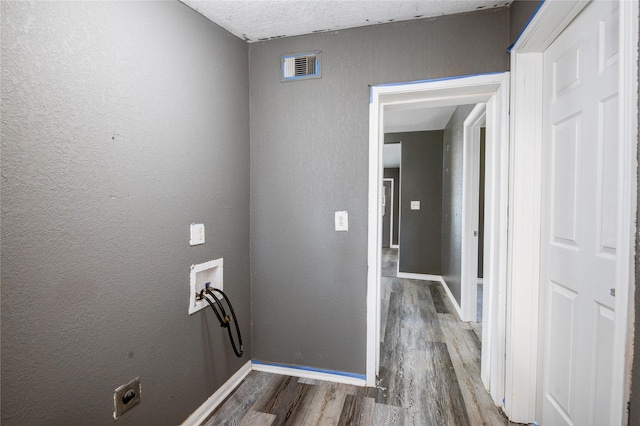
(452,199)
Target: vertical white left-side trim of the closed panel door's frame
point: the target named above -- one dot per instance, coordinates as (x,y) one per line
(524,237)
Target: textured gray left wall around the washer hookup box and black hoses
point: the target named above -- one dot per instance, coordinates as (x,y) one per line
(122,123)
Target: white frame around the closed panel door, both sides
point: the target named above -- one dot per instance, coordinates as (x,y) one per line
(523,345)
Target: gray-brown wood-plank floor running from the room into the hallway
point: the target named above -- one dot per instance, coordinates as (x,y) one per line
(429,373)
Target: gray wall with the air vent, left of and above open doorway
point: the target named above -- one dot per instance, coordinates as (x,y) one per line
(309,158)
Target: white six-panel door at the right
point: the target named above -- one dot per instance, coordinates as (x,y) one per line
(579,218)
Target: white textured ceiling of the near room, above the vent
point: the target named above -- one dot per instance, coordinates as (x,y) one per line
(257,20)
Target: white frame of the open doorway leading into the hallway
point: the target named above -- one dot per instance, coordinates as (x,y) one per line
(449,91)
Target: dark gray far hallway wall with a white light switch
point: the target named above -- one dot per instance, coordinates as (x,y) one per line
(421,177)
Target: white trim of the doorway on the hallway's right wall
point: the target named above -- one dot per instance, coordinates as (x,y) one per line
(470,212)
